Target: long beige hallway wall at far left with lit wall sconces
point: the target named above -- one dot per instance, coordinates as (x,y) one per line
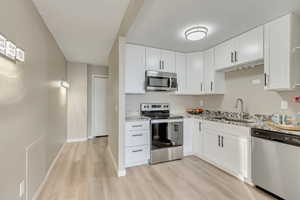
(33,106)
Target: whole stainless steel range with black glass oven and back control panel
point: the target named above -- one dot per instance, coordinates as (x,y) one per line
(166,133)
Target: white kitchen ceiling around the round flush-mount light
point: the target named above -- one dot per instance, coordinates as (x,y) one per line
(161,23)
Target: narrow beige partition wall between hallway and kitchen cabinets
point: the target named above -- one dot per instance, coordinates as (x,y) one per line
(116,97)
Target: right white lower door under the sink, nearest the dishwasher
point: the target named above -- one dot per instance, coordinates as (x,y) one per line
(232,151)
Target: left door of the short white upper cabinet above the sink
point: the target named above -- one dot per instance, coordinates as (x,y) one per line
(224,55)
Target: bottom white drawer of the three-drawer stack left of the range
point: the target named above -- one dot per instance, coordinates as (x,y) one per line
(136,155)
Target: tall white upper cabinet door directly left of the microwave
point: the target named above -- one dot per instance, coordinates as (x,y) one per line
(135,67)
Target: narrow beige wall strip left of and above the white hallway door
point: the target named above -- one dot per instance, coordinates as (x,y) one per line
(93,70)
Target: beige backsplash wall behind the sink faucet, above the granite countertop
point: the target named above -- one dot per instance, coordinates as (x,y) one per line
(257,100)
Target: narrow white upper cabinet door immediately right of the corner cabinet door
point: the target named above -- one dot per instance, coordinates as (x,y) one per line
(209,71)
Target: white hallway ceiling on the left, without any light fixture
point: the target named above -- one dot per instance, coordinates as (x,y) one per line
(84,29)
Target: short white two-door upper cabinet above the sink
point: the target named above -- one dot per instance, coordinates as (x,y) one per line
(244,49)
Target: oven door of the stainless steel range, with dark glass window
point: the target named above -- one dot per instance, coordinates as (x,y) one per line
(166,140)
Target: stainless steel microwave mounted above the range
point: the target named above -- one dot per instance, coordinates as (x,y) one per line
(161,81)
